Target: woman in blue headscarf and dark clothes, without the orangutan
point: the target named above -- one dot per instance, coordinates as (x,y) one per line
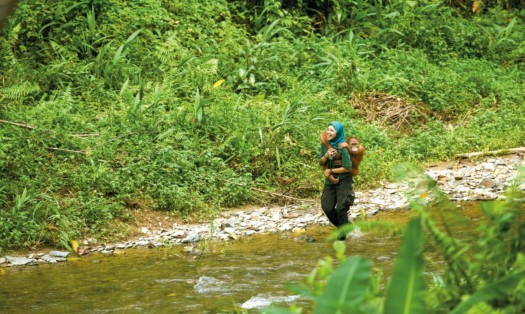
(337,196)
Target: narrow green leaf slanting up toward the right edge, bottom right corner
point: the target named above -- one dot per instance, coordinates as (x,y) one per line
(498,289)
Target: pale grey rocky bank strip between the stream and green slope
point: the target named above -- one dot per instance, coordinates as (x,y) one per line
(485,179)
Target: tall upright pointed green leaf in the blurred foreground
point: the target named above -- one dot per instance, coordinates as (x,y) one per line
(406,289)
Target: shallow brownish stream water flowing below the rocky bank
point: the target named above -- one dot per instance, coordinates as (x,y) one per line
(249,273)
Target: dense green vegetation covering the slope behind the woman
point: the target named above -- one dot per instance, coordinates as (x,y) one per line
(109,107)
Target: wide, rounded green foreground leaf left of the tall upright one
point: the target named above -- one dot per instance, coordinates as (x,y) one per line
(347,287)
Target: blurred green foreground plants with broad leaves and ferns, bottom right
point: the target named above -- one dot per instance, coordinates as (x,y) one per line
(480,276)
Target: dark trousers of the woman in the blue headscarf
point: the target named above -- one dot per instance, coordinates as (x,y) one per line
(336,201)
